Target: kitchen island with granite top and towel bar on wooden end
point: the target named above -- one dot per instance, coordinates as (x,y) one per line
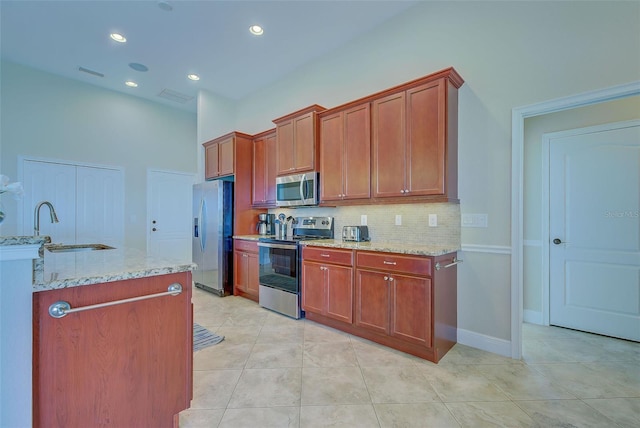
(112,339)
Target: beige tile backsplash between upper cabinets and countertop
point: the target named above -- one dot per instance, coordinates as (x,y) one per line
(381,221)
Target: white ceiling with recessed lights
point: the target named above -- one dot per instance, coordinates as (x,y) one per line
(206,37)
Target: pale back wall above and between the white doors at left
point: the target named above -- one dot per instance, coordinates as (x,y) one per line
(44,115)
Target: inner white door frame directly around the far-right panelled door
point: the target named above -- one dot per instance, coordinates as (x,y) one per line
(546,206)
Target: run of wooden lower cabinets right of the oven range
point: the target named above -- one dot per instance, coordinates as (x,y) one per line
(405,302)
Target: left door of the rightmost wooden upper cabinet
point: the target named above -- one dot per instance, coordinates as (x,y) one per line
(389,126)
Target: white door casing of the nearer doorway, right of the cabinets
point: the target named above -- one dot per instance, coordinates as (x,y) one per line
(518,115)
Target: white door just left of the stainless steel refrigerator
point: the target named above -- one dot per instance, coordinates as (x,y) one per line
(169,214)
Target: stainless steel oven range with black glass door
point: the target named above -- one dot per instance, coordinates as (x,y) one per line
(280,265)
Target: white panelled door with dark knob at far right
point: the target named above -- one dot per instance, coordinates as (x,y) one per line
(594,225)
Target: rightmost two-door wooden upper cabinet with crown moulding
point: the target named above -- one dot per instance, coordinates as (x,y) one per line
(414,139)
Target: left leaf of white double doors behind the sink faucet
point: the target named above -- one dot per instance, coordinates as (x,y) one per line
(56,183)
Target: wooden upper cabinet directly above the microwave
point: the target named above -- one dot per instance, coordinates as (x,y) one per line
(296,141)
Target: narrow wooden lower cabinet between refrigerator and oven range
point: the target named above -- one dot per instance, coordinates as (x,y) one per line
(246,269)
